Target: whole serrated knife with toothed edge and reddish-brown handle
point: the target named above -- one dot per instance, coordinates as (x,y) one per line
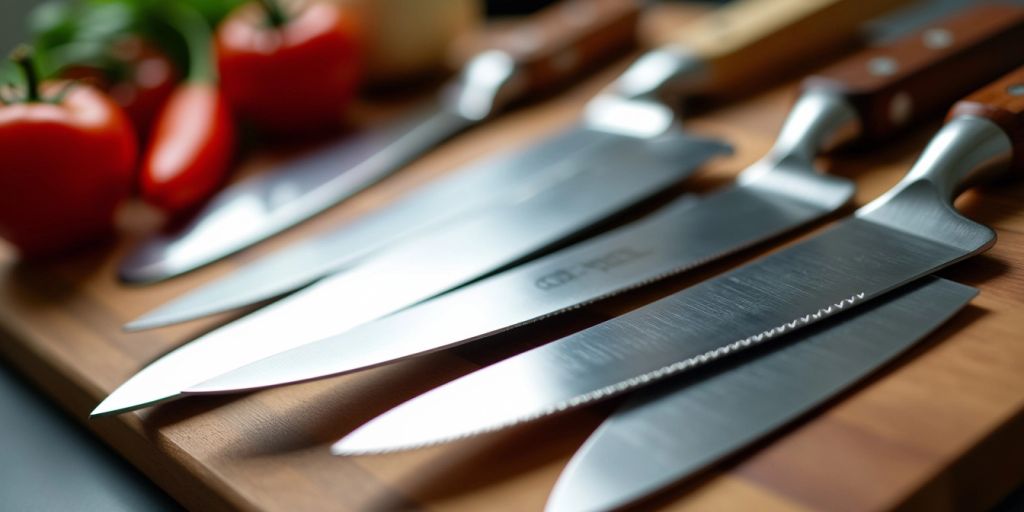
(910,232)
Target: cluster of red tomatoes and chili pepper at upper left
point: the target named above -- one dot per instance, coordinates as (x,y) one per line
(77,147)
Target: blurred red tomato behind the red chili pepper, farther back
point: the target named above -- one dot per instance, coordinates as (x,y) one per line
(295,77)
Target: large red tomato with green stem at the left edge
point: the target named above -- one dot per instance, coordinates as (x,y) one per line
(66,168)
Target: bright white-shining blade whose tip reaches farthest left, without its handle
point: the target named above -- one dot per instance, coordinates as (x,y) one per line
(596,186)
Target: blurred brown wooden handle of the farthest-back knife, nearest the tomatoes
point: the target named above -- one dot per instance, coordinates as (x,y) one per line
(564,40)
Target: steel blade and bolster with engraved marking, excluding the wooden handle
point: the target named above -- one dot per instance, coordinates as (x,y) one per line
(778,194)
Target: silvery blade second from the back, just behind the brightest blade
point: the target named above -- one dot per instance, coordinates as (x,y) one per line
(491,183)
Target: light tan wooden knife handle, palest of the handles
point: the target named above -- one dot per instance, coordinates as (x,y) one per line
(748,39)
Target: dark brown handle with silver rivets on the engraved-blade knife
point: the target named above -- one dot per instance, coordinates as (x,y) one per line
(894,86)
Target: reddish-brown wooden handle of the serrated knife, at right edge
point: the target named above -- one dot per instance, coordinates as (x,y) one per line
(1002,103)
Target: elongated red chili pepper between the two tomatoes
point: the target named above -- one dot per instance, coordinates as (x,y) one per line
(190,151)
